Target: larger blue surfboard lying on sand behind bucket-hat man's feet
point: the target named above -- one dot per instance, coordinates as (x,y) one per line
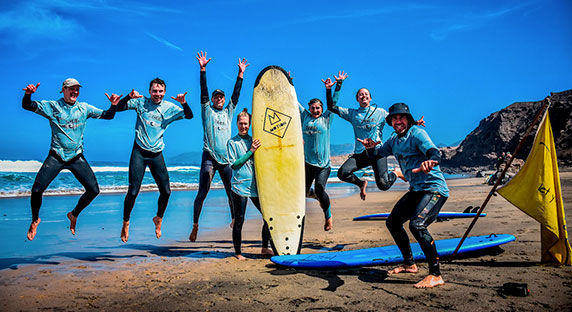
(387,254)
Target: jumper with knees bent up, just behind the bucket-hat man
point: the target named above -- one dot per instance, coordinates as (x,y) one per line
(368,121)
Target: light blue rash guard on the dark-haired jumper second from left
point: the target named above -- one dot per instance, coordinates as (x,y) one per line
(152,121)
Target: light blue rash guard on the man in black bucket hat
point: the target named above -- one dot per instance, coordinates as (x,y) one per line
(410,151)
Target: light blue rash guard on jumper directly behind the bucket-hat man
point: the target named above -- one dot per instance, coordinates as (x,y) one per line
(367,122)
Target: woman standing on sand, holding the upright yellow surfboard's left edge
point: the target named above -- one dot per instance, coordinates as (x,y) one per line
(243,184)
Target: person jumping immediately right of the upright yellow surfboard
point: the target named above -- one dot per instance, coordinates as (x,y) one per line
(316,125)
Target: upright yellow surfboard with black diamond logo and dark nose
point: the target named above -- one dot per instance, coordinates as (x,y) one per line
(279,162)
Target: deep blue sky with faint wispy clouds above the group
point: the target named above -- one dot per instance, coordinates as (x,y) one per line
(454,62)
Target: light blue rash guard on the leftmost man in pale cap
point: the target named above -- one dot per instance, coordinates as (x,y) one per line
(68,124)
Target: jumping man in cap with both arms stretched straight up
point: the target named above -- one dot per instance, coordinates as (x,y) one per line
(216,133)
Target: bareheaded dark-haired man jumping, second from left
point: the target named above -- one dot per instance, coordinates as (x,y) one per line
(154,115)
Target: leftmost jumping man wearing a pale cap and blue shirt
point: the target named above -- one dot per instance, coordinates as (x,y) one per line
(67,119)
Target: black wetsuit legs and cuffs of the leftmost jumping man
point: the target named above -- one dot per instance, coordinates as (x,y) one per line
(54,164)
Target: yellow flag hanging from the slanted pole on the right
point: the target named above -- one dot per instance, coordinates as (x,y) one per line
(536,190)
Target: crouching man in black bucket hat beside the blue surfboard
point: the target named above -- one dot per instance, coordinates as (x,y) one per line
(419,161)
